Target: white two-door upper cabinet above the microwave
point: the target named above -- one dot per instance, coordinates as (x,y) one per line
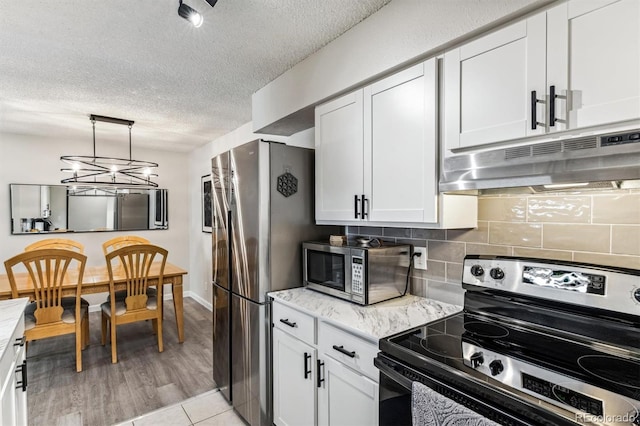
(377,156)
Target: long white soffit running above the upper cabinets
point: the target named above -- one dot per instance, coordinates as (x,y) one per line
(400,32)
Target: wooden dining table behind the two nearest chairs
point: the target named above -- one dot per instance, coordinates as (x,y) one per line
(96,280)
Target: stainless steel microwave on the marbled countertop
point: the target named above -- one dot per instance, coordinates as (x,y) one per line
(357,273)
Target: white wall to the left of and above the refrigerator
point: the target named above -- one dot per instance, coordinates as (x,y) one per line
(200,165)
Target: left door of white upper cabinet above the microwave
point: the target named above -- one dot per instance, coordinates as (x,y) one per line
(339,169)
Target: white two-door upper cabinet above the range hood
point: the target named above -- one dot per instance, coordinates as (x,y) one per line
(573,66)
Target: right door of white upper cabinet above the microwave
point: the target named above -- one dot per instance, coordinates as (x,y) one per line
(400,154)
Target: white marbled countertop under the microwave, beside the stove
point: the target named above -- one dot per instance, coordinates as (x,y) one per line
(371,322)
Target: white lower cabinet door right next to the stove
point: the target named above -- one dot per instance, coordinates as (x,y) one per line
(346,398)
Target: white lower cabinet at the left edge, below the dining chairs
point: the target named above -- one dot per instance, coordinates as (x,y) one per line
(13,394)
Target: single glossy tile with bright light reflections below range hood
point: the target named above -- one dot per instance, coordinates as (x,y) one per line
(564,209)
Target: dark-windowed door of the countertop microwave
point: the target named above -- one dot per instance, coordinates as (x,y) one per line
(327,268)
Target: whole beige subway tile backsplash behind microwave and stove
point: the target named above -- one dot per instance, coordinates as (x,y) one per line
(600,228)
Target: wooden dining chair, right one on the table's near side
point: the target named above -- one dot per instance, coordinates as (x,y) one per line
(137,265)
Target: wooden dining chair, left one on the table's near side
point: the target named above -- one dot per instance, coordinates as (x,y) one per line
(48,271)
